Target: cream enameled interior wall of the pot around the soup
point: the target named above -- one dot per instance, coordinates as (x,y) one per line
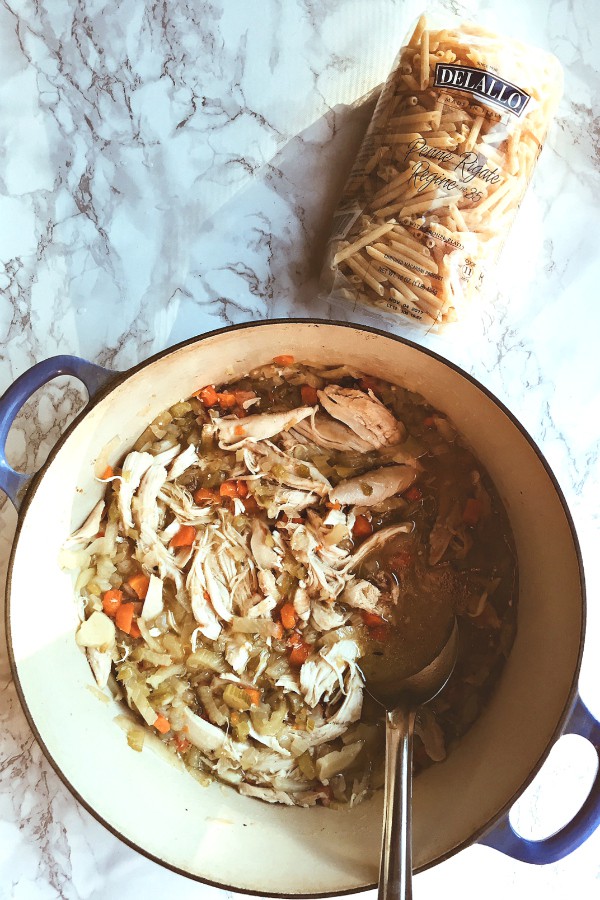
(215,834)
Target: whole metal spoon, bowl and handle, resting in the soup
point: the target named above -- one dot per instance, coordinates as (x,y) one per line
(402,696)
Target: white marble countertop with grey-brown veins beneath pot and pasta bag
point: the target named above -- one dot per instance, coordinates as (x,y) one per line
(169,168)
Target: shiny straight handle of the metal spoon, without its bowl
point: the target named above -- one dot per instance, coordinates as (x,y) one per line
(395,873)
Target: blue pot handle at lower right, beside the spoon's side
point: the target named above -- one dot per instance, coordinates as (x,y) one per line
(503,838)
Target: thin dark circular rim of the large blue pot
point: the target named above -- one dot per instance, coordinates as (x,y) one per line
(119,378)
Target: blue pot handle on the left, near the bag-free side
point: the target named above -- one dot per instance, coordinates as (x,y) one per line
(14,484)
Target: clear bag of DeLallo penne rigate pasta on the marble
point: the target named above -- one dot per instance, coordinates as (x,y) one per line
(440,174)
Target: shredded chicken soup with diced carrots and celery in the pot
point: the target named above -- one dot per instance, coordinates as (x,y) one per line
(259,541)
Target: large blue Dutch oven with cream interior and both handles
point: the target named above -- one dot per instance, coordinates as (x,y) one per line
(134,398)
